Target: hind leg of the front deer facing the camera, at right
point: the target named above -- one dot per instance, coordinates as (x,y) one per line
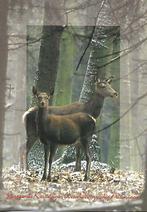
(88,159)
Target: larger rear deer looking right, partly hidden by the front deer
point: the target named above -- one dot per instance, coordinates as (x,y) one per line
(92,107)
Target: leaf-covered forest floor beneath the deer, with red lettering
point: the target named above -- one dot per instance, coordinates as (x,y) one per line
(68,189)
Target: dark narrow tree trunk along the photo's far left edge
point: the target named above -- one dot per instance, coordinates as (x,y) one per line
(3,62)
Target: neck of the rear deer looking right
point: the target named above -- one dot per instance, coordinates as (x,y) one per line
(94,105)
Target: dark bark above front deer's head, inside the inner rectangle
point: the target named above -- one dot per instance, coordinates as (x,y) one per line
(48,58)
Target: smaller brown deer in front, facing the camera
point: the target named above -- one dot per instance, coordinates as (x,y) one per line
(54,130)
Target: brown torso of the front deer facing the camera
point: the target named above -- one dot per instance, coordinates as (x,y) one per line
(67,129)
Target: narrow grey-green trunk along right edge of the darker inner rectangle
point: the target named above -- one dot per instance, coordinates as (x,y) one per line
(114,147)
